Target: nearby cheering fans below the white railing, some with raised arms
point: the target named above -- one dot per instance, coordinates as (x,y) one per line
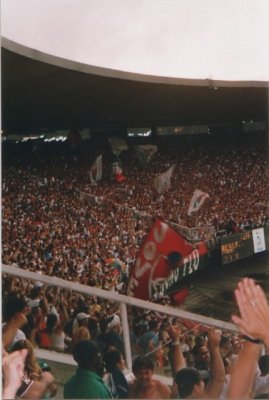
(205,363)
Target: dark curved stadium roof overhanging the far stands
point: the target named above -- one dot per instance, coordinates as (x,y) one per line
(37,95)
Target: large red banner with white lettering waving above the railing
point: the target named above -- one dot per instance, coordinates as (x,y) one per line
(164,257)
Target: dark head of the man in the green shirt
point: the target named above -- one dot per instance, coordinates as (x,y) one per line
(86,354)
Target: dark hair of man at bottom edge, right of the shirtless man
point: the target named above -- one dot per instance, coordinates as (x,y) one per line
(185,379)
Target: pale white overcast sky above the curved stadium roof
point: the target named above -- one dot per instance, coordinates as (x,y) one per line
(219,39)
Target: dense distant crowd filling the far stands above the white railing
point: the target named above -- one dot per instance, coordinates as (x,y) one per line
(56,221)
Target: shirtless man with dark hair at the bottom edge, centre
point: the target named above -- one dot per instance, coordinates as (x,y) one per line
(145,387)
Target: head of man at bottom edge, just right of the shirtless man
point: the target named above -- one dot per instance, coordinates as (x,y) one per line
(189,383)
